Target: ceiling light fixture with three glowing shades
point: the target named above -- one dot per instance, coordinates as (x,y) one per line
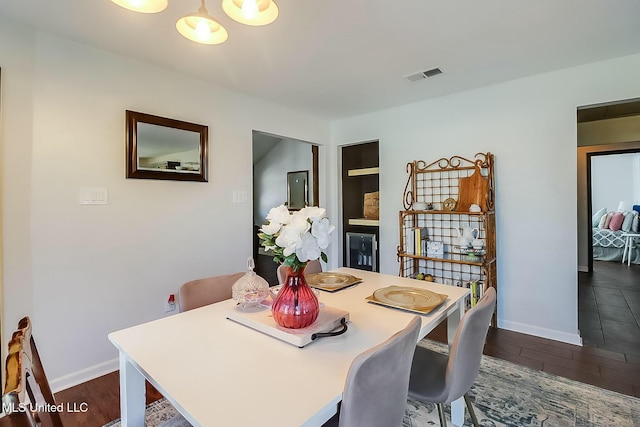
(200,27)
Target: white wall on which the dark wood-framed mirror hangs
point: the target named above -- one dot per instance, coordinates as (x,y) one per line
(79,271)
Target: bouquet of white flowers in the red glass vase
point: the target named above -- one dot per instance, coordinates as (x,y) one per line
(296,237)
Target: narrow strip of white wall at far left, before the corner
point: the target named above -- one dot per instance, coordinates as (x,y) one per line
(16,133)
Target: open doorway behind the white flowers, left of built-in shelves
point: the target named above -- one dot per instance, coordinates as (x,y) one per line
(276,159)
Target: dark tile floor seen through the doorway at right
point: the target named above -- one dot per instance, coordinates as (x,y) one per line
(609,307)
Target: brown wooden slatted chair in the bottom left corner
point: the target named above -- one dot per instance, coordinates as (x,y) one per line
(26,385)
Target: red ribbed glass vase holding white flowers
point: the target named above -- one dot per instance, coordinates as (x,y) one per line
(296,305)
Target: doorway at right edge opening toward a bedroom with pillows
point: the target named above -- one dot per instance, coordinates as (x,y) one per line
(608,295)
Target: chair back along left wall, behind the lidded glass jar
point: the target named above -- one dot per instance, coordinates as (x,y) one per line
(201,292)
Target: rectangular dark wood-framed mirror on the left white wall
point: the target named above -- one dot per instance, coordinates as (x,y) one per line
(163,148)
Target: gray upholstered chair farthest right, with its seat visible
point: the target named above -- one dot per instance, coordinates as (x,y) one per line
(440,378)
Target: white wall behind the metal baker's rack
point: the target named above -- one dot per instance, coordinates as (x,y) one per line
(530,125)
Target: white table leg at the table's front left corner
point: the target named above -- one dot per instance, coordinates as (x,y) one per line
(132,394)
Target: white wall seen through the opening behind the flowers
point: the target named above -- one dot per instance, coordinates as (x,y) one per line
(270,175)
